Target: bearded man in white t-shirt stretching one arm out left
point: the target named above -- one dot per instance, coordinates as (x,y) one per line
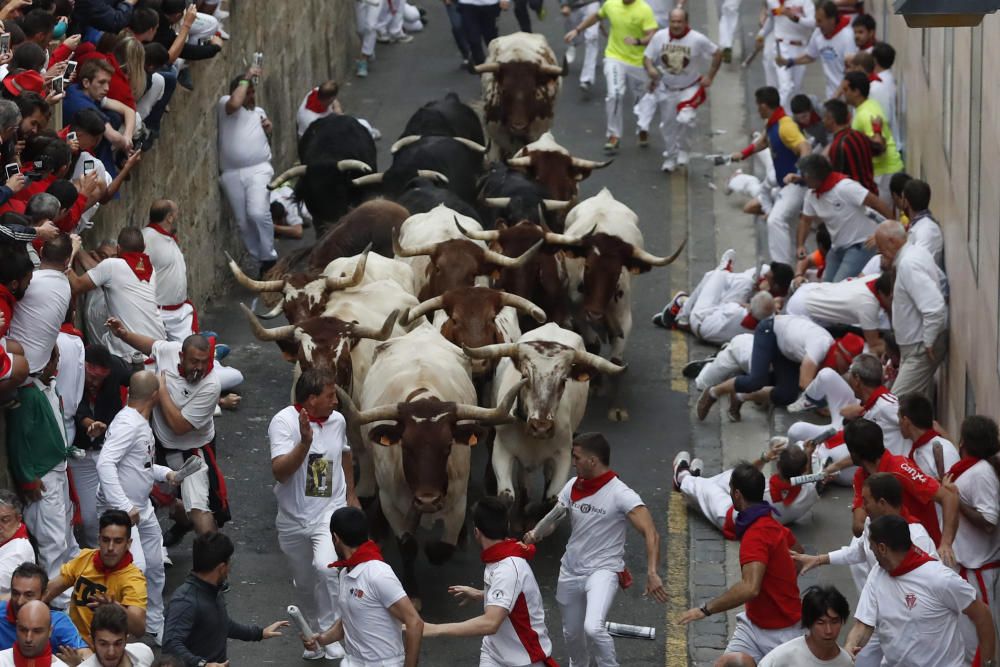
(184,425)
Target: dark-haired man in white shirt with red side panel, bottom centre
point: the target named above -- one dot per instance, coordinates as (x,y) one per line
(513,621)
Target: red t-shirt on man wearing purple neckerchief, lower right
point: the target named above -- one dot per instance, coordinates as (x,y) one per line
(777,606)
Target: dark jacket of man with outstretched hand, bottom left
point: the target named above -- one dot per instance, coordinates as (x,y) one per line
(197,624)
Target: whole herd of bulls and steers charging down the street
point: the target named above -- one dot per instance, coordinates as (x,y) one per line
(458,302)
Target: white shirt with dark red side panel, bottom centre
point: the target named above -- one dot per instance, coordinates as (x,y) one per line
(511,584)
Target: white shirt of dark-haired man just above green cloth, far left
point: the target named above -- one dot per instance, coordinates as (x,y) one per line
(39,314)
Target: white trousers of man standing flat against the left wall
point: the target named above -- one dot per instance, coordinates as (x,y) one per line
(246,190)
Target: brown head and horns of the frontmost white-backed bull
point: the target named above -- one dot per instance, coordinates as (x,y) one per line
(426,429)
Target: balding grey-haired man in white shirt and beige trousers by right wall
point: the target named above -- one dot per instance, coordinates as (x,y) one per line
(919,309)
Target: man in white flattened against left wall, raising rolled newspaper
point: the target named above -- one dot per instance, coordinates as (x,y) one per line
(245,163)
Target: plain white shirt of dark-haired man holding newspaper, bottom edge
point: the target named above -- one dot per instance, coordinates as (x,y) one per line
(371,633)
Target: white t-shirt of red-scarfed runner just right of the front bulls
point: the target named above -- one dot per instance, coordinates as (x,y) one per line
(598,526)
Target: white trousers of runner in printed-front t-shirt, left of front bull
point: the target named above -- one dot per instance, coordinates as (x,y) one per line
(309,549)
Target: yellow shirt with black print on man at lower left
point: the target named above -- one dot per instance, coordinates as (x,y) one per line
(126,585)
